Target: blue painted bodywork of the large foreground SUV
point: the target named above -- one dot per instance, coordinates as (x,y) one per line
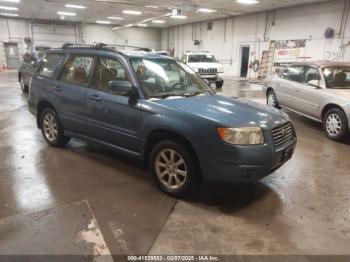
(125,124)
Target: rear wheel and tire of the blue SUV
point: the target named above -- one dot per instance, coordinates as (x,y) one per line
(51,128)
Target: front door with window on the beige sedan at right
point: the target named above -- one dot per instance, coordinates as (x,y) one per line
(308,93)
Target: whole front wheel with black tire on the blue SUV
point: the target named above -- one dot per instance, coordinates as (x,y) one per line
(173,168)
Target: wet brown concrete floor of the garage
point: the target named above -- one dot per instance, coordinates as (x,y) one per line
(303,208)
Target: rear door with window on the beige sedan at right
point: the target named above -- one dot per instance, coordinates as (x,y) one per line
(286,85)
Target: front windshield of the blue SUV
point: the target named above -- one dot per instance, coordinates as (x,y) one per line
(161,78)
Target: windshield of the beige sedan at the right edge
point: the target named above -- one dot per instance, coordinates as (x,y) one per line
(337,77)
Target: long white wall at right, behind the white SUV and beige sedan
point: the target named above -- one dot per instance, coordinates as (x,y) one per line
(256,30)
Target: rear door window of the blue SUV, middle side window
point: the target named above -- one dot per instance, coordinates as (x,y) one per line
(77,70)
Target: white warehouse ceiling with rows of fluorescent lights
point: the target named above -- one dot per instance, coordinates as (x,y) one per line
(101,9)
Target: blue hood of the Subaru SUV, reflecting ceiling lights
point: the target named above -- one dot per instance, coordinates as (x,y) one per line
(229,112)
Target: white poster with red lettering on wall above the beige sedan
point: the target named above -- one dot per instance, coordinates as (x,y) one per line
(288,50)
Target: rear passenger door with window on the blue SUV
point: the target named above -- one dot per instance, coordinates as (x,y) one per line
(71,89)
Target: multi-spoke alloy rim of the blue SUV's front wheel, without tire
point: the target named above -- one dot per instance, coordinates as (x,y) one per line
(171,169)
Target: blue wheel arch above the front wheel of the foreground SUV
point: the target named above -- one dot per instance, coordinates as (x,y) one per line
(161,134)
